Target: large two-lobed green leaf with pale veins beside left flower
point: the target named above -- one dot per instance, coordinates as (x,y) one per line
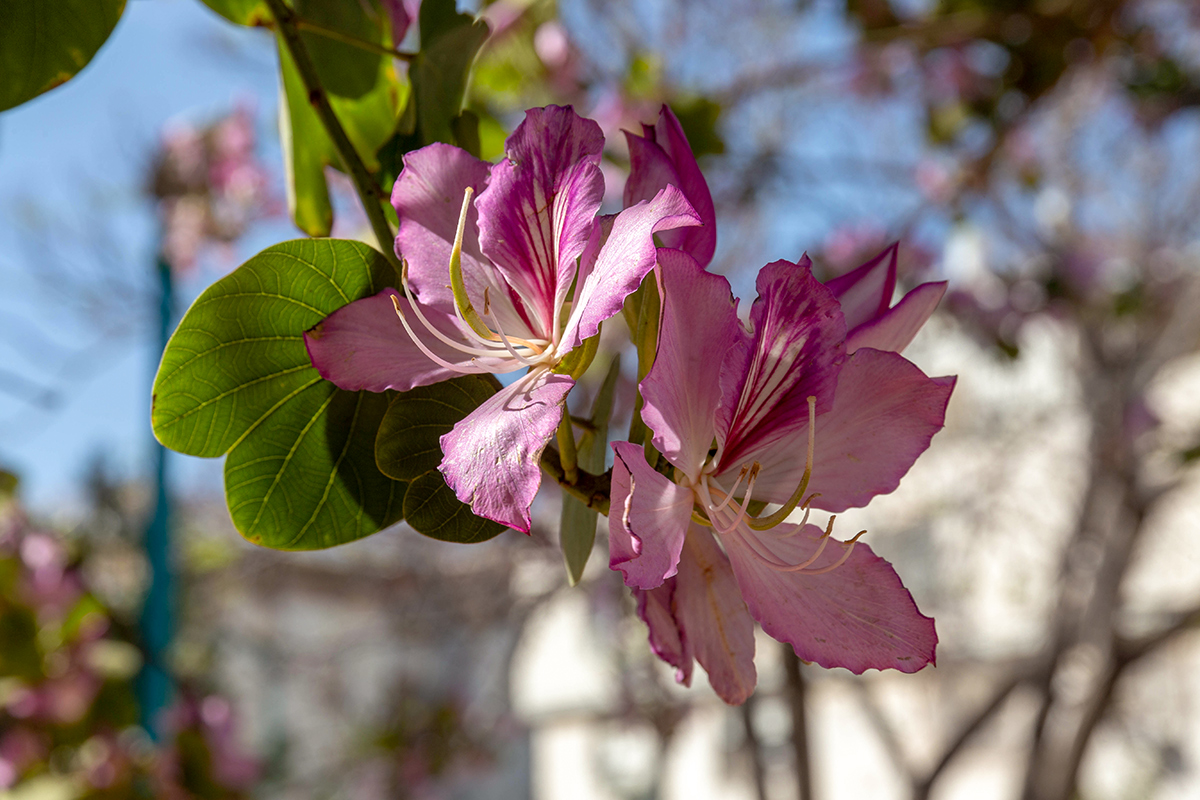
(236,380)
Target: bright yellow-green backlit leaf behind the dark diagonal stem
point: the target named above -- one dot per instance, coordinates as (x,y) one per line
(369,123)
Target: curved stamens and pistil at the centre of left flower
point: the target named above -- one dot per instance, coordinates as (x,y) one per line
(484,340)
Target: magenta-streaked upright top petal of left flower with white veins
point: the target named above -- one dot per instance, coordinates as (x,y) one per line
(541,207)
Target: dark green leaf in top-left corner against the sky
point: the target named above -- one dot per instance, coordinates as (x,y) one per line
(44,45)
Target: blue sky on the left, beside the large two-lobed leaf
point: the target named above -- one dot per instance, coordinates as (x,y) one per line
(73,164)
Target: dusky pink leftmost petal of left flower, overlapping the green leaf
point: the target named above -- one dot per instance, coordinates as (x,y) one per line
(365,346)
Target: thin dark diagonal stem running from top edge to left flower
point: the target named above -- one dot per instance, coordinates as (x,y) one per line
(364,184)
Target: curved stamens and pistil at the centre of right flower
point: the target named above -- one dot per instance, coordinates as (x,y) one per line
(729,516)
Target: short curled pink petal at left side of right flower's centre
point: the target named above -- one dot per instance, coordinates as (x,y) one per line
(649,519)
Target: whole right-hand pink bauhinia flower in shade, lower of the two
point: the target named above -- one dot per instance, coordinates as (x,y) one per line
(791,414)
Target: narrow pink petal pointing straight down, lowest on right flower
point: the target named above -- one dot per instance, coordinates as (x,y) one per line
(717,627)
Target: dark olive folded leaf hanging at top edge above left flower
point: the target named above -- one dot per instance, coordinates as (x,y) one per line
(440,73)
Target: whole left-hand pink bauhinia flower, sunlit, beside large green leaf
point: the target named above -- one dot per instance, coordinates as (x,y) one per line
(489,288)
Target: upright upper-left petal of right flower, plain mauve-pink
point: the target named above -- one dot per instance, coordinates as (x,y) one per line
(699,329)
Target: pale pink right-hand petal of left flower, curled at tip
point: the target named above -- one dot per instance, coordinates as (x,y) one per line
(627,256)
